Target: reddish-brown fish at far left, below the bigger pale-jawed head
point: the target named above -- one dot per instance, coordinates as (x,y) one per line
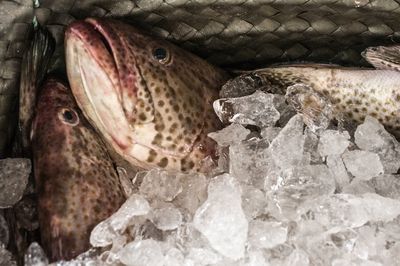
(76,182)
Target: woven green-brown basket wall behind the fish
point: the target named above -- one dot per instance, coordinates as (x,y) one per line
(232,33)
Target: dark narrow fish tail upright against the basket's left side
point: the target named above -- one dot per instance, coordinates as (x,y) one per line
(34,66)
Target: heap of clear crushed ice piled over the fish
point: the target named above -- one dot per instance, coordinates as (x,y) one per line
(291,190)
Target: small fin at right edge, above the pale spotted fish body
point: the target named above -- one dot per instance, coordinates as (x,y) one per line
(383,57)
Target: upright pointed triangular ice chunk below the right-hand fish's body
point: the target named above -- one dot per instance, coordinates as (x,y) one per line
(287,148)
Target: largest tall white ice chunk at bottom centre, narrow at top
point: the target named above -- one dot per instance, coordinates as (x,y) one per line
(221,219)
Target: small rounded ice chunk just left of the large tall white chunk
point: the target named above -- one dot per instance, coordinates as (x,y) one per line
(166,218)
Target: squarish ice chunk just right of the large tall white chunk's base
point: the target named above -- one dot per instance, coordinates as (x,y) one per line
(264,234)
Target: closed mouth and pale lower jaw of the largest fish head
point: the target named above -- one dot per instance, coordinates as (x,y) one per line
(93,72)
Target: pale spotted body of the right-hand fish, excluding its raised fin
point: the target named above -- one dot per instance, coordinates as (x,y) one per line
(354,93)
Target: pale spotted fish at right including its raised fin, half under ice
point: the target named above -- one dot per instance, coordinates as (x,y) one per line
(353,92)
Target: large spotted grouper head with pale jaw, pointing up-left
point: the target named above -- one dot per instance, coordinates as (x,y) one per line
(149,99)
